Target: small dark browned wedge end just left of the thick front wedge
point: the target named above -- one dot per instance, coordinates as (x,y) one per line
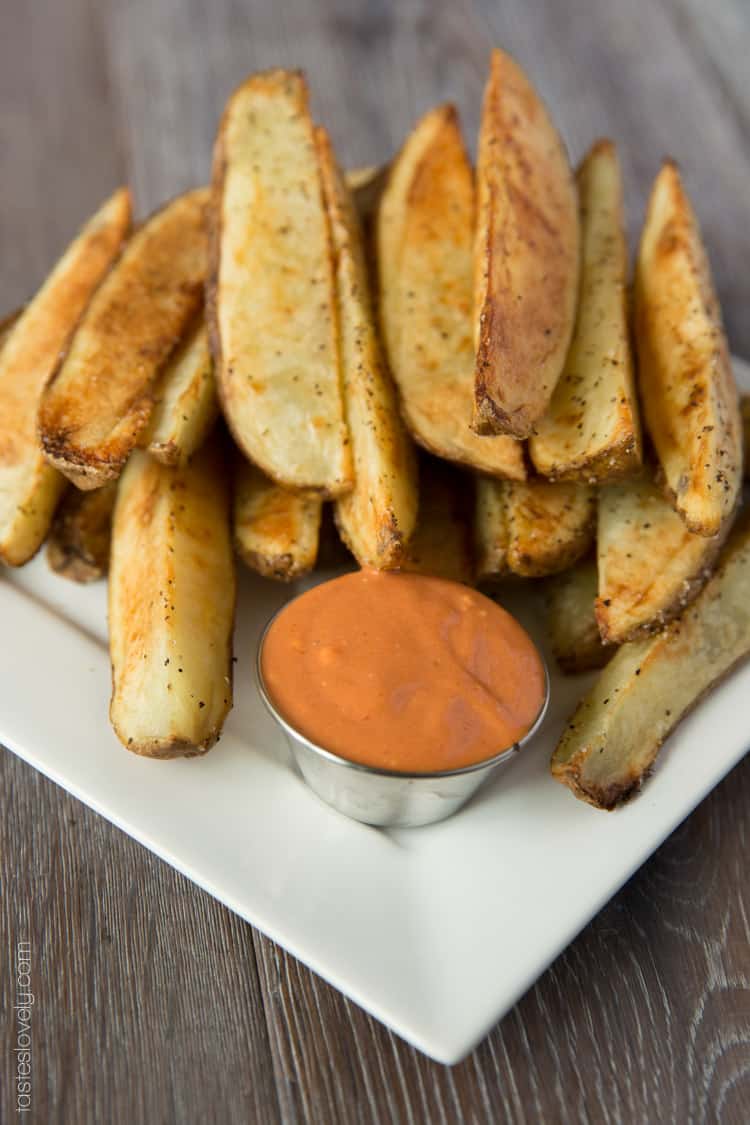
(78,547)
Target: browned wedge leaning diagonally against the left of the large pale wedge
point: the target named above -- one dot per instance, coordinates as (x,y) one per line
(100,399)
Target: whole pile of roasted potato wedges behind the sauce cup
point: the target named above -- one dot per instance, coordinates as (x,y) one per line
(453,361)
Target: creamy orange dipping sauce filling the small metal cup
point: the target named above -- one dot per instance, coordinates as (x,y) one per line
(403,672)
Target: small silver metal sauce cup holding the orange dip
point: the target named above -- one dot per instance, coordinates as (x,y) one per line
(388,798)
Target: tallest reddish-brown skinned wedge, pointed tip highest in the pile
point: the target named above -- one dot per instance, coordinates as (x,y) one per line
(526,258)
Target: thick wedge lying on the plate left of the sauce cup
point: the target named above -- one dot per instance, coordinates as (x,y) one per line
(171,605)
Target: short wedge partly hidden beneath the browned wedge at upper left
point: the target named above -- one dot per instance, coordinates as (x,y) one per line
(185,401)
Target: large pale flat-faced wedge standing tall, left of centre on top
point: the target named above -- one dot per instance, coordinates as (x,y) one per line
(272,296)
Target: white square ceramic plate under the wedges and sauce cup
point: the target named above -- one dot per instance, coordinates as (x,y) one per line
(436,931)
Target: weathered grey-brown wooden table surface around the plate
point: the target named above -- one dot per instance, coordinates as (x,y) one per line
(155,1003)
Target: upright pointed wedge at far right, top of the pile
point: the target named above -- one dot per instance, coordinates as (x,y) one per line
(688,388)
